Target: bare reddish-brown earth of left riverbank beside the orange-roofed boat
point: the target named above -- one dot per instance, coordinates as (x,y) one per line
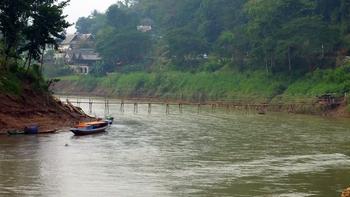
(30,107)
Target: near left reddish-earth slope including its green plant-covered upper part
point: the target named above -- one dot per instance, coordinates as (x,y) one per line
(24,102)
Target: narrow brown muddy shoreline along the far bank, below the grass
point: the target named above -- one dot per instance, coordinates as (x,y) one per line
(306,107)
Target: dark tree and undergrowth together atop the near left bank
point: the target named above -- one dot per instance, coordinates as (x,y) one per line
(27,27)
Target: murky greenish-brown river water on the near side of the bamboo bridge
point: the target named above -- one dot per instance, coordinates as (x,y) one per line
(189,154)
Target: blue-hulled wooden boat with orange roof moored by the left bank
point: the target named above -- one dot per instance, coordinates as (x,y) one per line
(88,128)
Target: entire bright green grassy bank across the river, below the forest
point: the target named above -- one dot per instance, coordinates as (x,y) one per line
(222,85)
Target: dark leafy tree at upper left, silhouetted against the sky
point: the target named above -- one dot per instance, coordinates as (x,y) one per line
(29,25)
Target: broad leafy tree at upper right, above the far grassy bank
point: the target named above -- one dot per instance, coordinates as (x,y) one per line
(283,32)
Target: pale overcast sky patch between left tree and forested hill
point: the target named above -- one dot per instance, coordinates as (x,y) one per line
(78,8)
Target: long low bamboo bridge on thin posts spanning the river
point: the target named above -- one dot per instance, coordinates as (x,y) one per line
(310,106)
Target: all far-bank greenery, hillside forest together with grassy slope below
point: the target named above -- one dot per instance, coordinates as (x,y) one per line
(257,50)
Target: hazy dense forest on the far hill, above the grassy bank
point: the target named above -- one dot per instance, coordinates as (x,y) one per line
(278,36)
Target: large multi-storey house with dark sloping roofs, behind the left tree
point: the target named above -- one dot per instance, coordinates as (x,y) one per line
(78,51)
